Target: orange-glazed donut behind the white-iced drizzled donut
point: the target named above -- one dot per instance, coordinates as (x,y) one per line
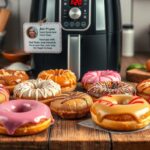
(65,78)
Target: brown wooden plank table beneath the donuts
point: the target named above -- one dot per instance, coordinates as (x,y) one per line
(68,135)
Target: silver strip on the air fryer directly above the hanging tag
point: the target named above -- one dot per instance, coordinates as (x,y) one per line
(50,10)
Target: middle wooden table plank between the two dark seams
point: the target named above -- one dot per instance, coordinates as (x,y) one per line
(68,135)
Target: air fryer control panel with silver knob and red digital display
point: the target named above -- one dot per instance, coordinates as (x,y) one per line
(75,14)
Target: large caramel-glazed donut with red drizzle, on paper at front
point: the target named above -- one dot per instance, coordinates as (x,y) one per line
(121,112)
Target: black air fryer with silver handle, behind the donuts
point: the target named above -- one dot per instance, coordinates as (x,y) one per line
(91,34)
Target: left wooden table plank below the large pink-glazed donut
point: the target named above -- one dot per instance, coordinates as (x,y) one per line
(32,142)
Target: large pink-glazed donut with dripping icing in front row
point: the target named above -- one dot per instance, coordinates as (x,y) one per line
(24,117)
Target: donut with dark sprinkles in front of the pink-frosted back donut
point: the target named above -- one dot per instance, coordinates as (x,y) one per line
(98,90)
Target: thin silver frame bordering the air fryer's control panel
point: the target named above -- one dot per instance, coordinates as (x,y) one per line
(90,8)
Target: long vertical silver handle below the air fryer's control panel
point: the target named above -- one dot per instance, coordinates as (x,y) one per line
(74,54)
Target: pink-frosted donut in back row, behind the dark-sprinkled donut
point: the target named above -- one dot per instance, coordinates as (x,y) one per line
(92,77)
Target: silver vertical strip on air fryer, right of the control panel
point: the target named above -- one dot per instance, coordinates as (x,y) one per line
(100,15)
